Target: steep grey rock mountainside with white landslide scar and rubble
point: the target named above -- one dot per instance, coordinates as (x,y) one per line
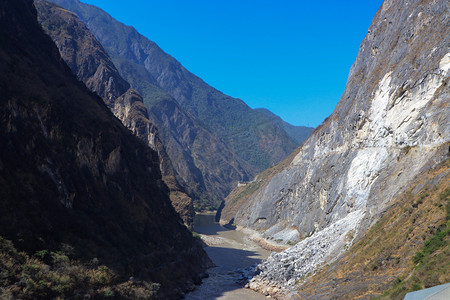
(391,127)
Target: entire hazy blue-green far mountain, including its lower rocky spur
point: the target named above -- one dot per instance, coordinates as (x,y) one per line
(254,140)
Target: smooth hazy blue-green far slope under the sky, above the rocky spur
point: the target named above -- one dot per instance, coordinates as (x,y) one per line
(252,136)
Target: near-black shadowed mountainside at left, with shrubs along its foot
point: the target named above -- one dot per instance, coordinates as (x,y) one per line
(78,191)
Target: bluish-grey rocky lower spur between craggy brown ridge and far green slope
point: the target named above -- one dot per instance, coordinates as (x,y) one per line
(206,165)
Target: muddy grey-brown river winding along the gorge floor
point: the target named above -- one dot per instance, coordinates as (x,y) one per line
(232,252)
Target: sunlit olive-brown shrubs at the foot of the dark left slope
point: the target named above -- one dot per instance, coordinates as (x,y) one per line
(47,275)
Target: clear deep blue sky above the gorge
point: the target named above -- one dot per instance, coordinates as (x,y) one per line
(290,56)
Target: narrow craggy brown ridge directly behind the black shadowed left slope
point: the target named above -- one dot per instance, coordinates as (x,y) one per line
(91,64)
